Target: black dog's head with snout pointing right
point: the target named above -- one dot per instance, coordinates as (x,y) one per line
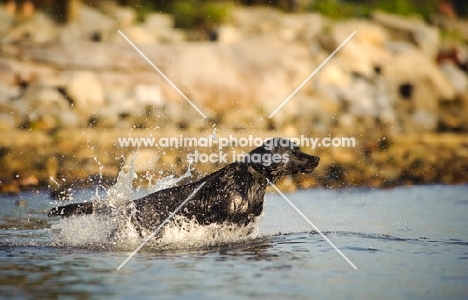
(279,157)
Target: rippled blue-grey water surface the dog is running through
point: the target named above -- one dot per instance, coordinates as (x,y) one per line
(407,243)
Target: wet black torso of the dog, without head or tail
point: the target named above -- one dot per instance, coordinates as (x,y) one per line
(232,194)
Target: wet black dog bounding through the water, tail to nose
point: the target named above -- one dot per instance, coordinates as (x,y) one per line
(233,194)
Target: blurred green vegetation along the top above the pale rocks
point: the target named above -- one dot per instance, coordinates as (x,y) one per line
(206,13)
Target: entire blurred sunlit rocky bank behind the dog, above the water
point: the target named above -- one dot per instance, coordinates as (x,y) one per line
(71,85)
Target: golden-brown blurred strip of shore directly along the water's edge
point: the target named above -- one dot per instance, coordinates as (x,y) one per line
(87,157)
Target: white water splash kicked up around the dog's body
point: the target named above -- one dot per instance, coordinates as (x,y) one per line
(114,230)
